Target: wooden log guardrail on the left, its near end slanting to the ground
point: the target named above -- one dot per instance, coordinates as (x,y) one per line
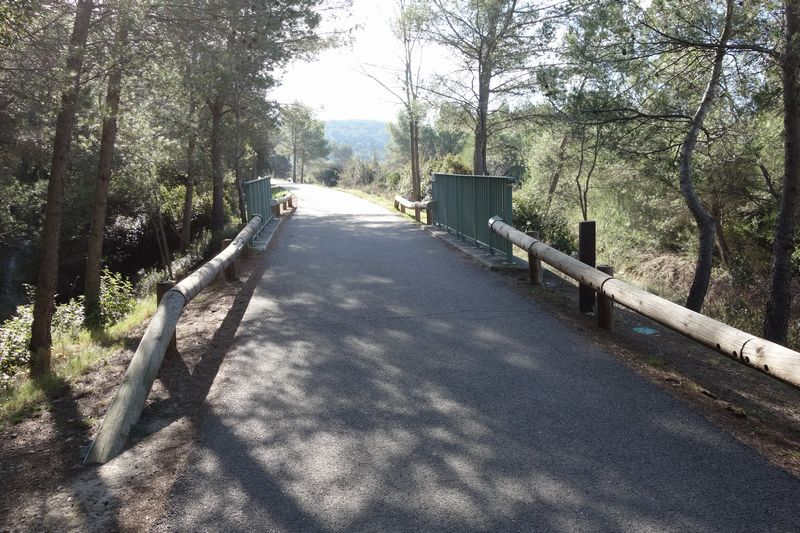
(128,403)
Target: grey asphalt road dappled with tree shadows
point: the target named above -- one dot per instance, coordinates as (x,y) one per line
(382,382)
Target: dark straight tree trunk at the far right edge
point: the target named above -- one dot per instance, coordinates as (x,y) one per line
(776,320)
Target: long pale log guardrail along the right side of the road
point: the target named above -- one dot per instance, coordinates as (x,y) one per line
(769,357)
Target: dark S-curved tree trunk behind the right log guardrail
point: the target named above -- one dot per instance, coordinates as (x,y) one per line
(706,225)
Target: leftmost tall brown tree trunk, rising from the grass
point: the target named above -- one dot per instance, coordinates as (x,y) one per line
(44,303)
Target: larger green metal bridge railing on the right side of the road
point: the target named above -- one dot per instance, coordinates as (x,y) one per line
(463,205)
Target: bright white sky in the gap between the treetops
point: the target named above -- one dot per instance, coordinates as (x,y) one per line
(334,84)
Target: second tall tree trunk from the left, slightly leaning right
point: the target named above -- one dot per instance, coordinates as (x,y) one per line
(107,141)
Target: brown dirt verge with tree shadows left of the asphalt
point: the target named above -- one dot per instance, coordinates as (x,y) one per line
(45,487)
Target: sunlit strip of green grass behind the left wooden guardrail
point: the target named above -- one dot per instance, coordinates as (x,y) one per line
(72,356)
